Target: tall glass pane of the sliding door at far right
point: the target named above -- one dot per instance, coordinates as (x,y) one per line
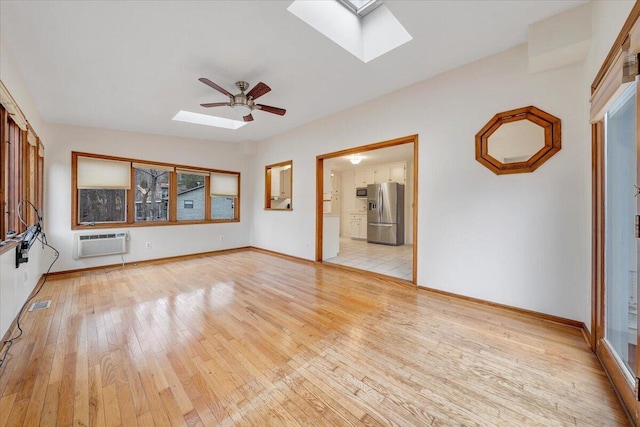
(620,242)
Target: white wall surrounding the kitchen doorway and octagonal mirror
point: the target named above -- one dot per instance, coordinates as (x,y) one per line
(521,240)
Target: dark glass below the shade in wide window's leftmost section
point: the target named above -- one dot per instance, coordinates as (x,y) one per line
(102,205)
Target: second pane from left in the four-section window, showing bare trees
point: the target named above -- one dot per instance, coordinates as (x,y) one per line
(152,195)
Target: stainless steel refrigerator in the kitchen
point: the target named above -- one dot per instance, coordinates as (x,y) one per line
(385,213)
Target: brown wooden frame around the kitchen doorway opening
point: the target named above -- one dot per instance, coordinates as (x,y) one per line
(355,150)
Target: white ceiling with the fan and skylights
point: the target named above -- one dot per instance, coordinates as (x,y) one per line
(132,65)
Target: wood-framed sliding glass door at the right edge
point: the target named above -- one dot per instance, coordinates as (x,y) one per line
(616,243)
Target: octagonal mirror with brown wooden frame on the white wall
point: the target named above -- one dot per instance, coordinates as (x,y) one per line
(518,141)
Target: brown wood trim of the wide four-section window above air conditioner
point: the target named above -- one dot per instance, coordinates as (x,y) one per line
(173,191)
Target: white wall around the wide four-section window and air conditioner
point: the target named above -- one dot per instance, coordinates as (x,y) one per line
(165,241)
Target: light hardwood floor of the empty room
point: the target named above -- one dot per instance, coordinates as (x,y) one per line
(248,338)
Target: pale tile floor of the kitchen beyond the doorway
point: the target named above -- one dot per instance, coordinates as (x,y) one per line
(394,261)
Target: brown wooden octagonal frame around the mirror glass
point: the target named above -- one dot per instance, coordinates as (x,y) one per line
(552,140)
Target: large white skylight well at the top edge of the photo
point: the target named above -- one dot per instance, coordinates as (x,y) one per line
(365,37)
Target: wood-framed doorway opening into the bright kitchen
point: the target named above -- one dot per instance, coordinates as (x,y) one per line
(344,230)
